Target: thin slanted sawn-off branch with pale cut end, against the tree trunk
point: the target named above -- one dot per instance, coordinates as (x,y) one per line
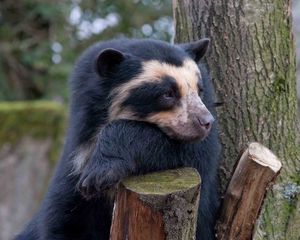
(256,170)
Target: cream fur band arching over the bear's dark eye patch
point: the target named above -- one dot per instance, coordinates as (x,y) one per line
(187,77)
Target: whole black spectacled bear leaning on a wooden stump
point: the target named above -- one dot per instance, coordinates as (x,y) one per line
(137,106)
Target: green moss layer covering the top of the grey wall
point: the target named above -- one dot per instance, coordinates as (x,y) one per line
(36,119)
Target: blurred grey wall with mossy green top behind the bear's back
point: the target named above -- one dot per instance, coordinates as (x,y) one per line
(30,141)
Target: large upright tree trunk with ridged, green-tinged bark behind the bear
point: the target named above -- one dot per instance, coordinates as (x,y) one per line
(252,63)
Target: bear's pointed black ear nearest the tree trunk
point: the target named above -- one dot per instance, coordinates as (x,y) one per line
(196,49)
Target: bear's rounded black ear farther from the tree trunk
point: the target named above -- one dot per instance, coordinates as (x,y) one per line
(108,60)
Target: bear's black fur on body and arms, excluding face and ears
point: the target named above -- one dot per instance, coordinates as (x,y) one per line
(122,148)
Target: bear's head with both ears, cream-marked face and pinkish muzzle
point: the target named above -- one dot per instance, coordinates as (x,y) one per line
(157,83)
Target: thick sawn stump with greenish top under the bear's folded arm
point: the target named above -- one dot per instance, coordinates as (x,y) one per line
(157,206)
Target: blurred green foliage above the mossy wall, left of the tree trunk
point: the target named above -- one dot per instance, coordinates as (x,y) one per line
(40,40)
